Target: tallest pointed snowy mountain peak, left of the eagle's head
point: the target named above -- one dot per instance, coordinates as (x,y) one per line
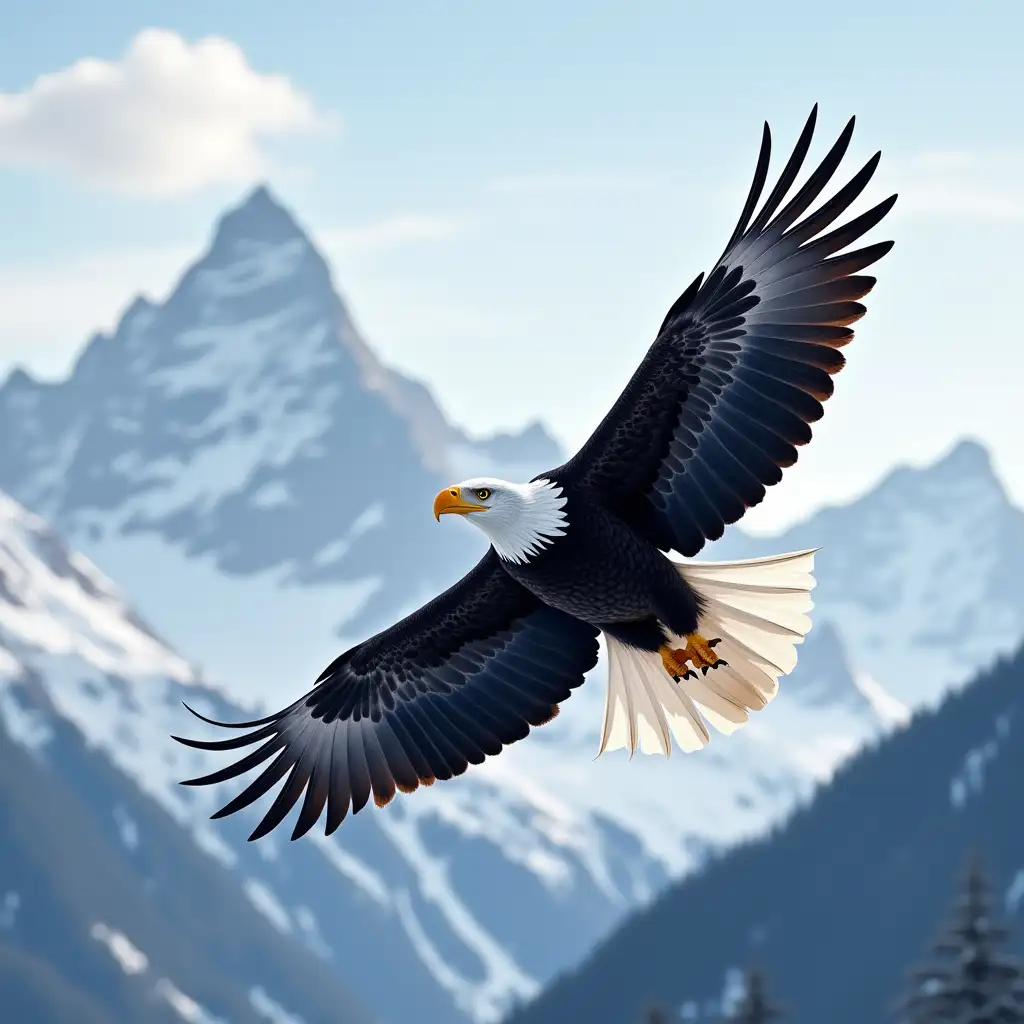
(240,447)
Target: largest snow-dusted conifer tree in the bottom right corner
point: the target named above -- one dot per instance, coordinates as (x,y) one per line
(972,983)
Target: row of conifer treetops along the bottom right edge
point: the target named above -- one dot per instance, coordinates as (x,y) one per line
(968,980)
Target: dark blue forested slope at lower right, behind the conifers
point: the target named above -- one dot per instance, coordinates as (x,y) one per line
(839,904)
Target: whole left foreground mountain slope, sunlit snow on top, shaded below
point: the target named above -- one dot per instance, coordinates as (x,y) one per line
(102,885)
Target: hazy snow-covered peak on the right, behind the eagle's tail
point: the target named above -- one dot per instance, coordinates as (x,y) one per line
(921,577)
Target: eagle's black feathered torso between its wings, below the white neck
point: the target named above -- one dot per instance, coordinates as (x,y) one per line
(606,574)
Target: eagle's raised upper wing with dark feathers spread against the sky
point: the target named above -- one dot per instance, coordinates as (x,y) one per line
(742,364)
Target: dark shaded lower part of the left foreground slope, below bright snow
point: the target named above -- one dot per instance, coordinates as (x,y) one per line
(151,934)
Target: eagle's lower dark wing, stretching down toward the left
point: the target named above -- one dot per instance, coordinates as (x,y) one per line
(454,682)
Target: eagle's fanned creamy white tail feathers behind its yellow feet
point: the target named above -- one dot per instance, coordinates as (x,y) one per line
(759,609)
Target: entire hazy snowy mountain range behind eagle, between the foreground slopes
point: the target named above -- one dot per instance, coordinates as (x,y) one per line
(260,486)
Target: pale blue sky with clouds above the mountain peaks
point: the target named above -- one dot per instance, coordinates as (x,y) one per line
(511,196)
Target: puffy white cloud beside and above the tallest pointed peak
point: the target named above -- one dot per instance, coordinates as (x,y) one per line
(169,118)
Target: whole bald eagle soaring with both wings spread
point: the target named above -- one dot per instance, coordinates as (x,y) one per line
(716,410)
